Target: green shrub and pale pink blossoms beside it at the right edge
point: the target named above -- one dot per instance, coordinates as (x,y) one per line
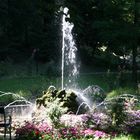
(119,108)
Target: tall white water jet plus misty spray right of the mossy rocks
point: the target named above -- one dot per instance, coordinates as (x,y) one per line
(70,67)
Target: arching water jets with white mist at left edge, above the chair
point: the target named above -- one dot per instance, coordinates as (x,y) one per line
(16,105)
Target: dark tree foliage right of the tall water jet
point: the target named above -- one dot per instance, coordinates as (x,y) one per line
(107,23)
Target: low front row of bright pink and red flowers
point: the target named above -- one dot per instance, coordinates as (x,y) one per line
(31,131)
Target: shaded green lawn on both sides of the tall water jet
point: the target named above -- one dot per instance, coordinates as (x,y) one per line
(33,85)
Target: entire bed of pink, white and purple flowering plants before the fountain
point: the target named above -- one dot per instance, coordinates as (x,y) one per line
(95,125)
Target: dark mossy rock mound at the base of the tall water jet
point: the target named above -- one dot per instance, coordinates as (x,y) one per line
(65,98)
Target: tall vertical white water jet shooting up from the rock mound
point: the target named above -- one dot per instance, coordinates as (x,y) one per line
(69,61)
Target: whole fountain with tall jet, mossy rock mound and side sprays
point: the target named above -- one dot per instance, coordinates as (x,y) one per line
(70,69)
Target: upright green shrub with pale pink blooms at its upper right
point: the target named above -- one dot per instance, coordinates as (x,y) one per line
(118,107)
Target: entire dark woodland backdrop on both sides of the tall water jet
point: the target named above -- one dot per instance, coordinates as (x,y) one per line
(107,32)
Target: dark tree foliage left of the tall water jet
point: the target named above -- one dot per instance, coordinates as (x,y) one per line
(33,18)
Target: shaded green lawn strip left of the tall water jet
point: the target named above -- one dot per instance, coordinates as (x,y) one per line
(27,86)
